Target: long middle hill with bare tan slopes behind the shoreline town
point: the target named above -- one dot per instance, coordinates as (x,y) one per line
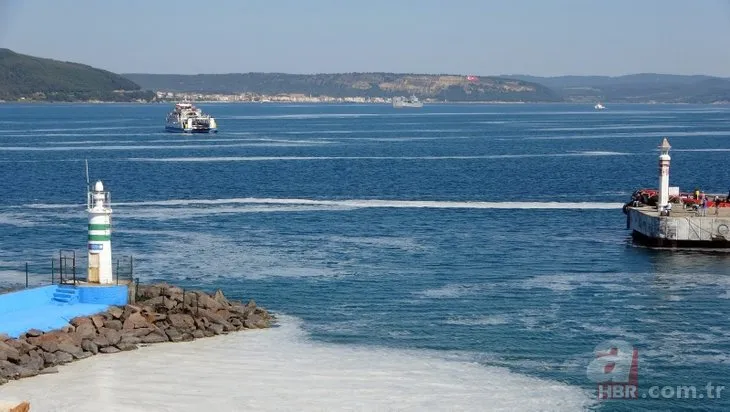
(425,86)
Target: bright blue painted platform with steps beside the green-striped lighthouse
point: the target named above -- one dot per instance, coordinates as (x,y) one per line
(52,307)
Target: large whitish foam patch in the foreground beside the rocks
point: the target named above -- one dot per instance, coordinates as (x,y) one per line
(281,369)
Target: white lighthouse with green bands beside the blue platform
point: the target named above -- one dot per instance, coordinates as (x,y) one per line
(100,245)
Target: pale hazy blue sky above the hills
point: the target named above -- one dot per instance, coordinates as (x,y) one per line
(540,37)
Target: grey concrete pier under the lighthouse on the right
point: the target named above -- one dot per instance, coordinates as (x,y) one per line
(683,228)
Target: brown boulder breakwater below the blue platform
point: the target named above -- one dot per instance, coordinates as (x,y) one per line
(160,313)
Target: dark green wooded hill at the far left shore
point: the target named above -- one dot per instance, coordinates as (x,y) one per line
(34,78)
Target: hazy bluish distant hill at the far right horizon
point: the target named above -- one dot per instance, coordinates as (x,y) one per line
(637,88)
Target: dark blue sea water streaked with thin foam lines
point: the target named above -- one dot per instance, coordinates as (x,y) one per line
(485,233)
